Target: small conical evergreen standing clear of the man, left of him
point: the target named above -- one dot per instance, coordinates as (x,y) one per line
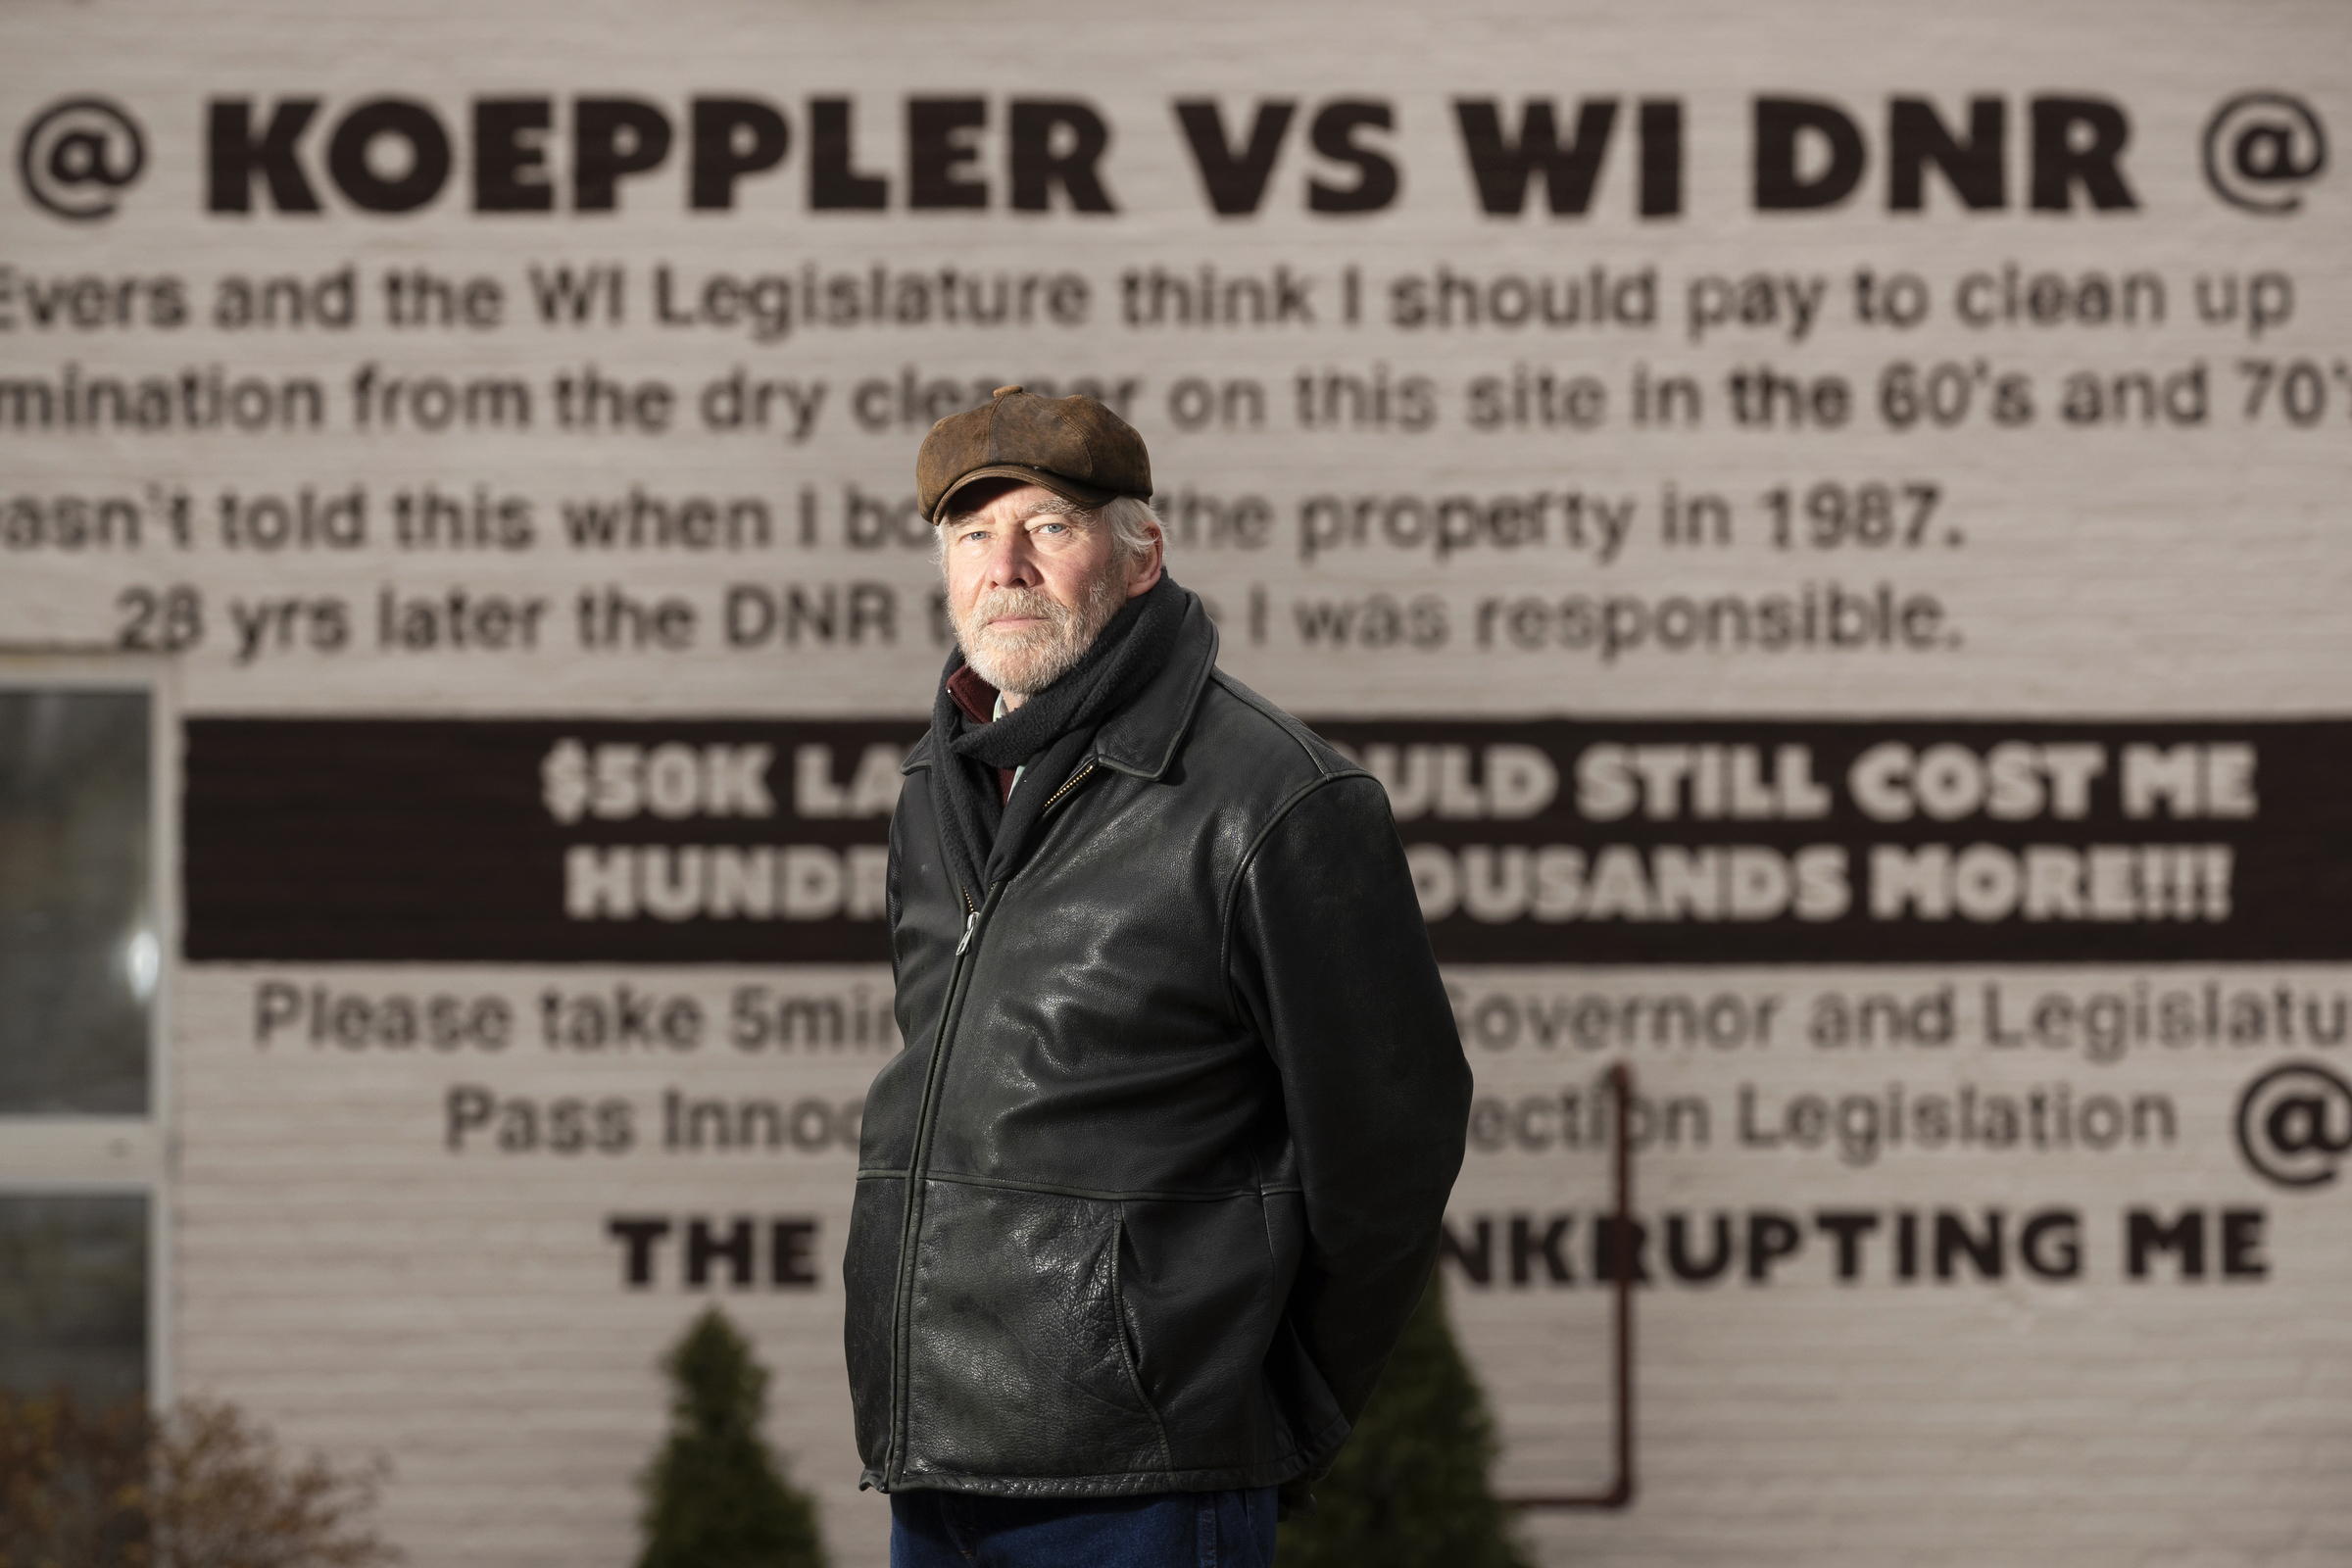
(716,1494)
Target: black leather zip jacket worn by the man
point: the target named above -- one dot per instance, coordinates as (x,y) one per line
(1156,1181)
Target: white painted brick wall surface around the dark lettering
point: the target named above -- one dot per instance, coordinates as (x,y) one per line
(373,1292)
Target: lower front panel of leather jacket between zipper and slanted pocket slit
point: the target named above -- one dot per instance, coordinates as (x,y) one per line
(1020,1355)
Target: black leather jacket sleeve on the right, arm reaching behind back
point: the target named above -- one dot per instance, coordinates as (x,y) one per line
(1332,965)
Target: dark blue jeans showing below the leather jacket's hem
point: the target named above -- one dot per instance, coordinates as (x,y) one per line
(1156,1532)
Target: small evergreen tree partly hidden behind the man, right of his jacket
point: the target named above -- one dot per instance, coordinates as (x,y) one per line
(1410,1489)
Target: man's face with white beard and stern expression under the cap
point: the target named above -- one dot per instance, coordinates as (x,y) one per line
(1034,584)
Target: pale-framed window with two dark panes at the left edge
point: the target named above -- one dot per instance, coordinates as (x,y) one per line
(81,965)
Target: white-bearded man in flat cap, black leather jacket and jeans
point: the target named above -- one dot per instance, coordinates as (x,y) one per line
(1156,1181)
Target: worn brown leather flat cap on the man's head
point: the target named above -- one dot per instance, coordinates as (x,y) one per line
(1071,445)
